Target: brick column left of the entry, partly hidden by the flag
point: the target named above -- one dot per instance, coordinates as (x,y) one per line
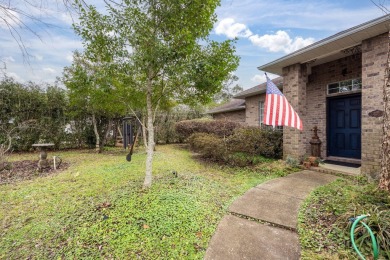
(294,88)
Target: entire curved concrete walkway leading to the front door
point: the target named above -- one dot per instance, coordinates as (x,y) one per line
(262,223)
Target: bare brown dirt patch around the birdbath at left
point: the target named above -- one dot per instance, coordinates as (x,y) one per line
(25,170)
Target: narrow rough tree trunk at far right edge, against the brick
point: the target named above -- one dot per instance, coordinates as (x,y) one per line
(384,182)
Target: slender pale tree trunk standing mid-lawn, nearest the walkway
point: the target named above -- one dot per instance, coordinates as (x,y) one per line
(150,144)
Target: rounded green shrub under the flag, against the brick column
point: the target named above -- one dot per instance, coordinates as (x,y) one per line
(256,141)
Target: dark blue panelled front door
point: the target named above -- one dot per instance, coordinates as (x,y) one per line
(344,126)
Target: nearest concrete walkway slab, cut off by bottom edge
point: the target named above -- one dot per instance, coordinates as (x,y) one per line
(238,238)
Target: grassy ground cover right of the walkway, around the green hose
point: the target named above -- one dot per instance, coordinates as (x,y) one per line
(326,217)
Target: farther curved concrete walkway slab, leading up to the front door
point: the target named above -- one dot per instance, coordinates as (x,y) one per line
(277,201)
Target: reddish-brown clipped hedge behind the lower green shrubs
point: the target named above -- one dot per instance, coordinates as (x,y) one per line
(221,128)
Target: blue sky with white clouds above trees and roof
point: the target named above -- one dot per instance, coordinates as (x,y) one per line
(265,30)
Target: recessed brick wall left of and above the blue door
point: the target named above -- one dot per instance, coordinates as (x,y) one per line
(321,75)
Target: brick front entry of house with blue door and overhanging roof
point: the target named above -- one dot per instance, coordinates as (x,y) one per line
(336,84)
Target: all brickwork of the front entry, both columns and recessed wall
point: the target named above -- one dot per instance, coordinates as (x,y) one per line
(370,66)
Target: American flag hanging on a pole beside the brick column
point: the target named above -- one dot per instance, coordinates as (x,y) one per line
(277,110)
